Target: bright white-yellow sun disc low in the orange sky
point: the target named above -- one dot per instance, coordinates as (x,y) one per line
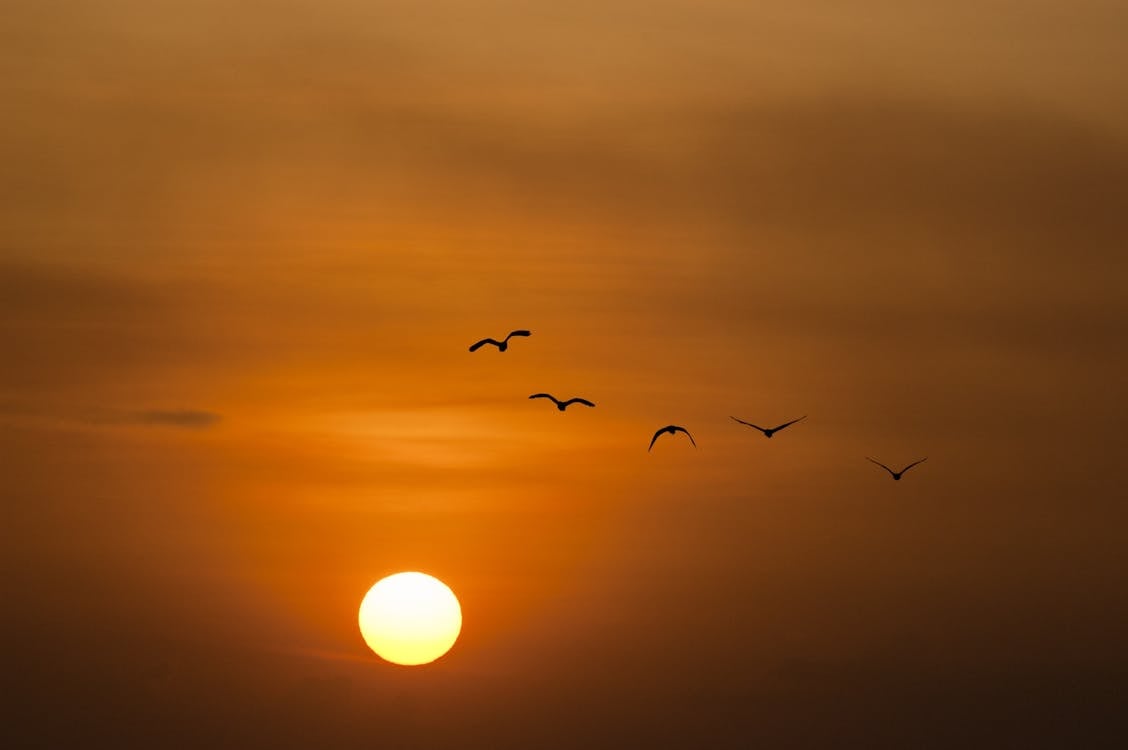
(410,619)
